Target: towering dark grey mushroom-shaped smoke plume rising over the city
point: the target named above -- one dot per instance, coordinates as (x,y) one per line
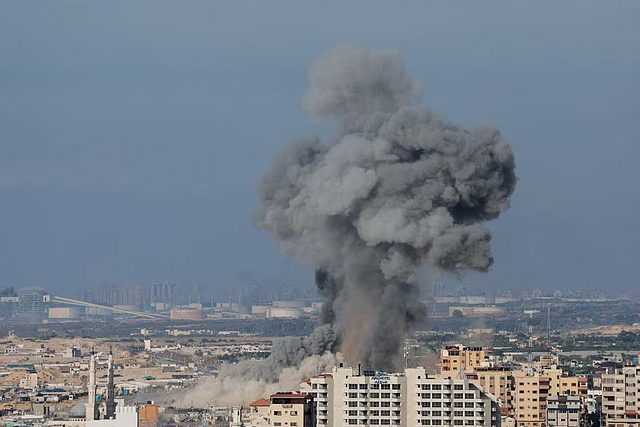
(396,187)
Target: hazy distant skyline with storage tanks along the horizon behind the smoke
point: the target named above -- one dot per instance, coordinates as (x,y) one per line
(171,300)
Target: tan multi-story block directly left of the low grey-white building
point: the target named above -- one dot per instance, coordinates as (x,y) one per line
(530,399)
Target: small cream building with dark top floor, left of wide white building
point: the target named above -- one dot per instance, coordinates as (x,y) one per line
(291,410)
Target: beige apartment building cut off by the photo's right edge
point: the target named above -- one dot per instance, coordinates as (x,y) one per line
(620,397)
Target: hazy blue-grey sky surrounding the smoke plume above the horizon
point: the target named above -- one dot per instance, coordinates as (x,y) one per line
(132,133)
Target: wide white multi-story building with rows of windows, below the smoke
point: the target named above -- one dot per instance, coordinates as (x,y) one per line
(346,397)
